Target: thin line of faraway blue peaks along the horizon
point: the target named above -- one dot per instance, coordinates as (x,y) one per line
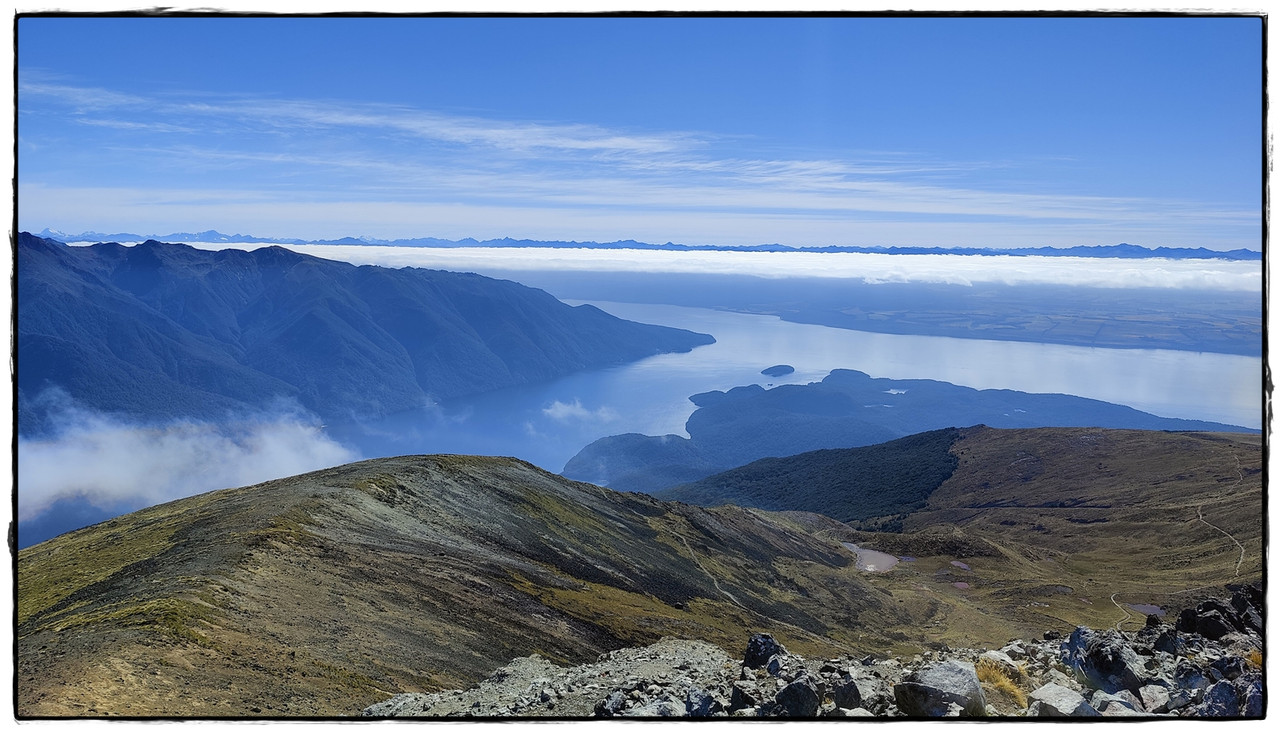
(1116,252)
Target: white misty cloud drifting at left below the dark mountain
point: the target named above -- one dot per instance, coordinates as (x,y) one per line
(108,462)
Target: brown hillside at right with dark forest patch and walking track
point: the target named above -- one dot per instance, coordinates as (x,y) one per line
(1049,528)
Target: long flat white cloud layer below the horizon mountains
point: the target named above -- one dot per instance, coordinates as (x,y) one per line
(872,268)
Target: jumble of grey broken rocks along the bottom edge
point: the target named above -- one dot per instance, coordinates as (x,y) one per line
(1209,664)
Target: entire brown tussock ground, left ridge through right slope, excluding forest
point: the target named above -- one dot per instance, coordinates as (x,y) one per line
(327,593)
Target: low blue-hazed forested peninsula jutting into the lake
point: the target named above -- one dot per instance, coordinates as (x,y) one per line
(847,409)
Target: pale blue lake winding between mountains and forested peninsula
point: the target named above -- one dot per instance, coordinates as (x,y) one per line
(548,423)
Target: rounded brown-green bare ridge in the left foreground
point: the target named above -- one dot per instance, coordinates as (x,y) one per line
(324,593)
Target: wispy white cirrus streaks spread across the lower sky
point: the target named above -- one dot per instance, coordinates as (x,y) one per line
(460,170)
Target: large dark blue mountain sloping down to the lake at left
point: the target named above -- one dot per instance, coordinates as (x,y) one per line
(168,331)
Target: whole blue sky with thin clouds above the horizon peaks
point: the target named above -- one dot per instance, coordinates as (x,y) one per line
(734,131)
